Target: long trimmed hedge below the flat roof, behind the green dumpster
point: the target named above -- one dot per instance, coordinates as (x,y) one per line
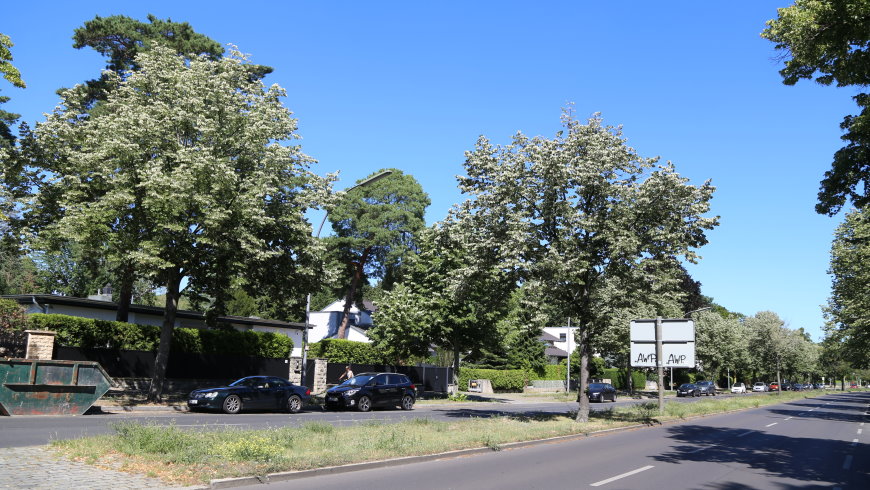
(75,331)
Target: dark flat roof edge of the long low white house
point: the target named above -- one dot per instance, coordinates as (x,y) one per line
(39,299)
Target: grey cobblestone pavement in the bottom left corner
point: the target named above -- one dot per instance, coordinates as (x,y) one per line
(38,467)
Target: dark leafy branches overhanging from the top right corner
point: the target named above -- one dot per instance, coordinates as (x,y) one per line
(829,39)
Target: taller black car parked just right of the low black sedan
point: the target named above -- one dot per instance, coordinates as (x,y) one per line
(368,390)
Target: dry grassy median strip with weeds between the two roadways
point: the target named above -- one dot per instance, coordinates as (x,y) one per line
(191,457)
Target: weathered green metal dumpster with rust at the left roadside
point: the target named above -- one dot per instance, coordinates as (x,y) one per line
(45,387)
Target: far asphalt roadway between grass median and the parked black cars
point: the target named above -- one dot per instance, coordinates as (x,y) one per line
(22,431)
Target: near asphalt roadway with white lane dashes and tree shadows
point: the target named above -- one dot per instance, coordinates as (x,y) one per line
(811,443)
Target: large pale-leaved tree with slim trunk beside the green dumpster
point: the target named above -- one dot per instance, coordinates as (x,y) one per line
(190,158)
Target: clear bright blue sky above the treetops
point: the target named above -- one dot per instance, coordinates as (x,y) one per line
(412,85)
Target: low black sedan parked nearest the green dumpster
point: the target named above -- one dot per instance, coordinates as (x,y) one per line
(251,393)
